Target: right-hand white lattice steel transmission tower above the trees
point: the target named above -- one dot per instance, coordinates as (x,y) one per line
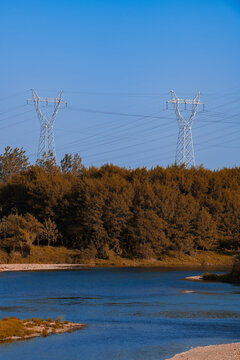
(185,151)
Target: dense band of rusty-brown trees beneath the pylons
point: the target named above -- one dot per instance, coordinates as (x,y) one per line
(134,213)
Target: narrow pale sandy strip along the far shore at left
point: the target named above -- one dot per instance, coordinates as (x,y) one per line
(40,267)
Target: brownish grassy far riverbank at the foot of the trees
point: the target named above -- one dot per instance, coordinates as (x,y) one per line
(62,257)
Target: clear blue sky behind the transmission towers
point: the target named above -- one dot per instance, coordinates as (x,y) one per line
(120,59)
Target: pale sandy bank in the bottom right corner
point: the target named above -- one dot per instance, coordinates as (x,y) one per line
(212,352)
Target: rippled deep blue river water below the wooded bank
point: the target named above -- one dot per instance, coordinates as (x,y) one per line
(132,314)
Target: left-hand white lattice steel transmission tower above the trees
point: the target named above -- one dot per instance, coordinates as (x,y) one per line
(46,144)
